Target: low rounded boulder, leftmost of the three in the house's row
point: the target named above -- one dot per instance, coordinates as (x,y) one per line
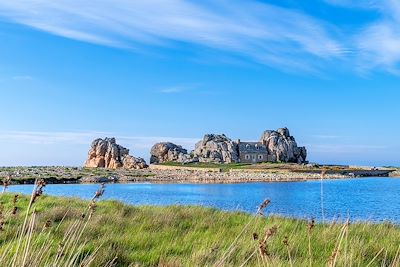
(169,152)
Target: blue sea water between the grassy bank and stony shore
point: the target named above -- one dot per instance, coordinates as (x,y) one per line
(376,199)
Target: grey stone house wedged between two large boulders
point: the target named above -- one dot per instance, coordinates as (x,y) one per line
(253,152)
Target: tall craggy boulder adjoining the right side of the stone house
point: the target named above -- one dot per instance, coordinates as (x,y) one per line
(283,147)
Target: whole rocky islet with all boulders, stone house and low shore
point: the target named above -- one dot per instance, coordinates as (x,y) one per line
(215,159)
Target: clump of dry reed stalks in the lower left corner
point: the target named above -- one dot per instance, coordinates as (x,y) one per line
(29,253)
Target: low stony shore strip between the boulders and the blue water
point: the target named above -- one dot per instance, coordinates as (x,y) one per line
(171,172)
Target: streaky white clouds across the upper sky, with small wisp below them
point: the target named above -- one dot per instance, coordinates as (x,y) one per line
(250,31)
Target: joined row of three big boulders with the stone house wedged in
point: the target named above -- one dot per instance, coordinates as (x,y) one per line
(273,146)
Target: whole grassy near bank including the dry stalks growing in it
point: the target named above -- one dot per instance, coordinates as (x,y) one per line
(71,232)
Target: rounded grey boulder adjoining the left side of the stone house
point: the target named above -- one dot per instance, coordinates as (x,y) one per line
(217,149)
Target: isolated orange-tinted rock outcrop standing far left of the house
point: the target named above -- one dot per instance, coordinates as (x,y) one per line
(106,153)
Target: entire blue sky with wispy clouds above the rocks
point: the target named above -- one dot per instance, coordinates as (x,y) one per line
(149,71)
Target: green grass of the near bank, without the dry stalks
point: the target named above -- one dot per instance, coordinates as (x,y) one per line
(196,236)
